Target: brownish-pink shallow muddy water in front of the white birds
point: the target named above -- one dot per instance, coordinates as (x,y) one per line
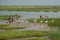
(30,26)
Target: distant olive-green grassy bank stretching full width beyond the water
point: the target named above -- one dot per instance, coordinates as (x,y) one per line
(31,8)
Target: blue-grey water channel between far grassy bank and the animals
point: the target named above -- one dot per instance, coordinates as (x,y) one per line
(26,15)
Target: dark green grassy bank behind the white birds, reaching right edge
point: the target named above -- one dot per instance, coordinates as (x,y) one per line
(56,22)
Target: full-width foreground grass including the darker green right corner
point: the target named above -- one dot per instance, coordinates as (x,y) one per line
(28,34)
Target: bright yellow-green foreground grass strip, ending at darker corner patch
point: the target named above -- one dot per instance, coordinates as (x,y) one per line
(22,34)
